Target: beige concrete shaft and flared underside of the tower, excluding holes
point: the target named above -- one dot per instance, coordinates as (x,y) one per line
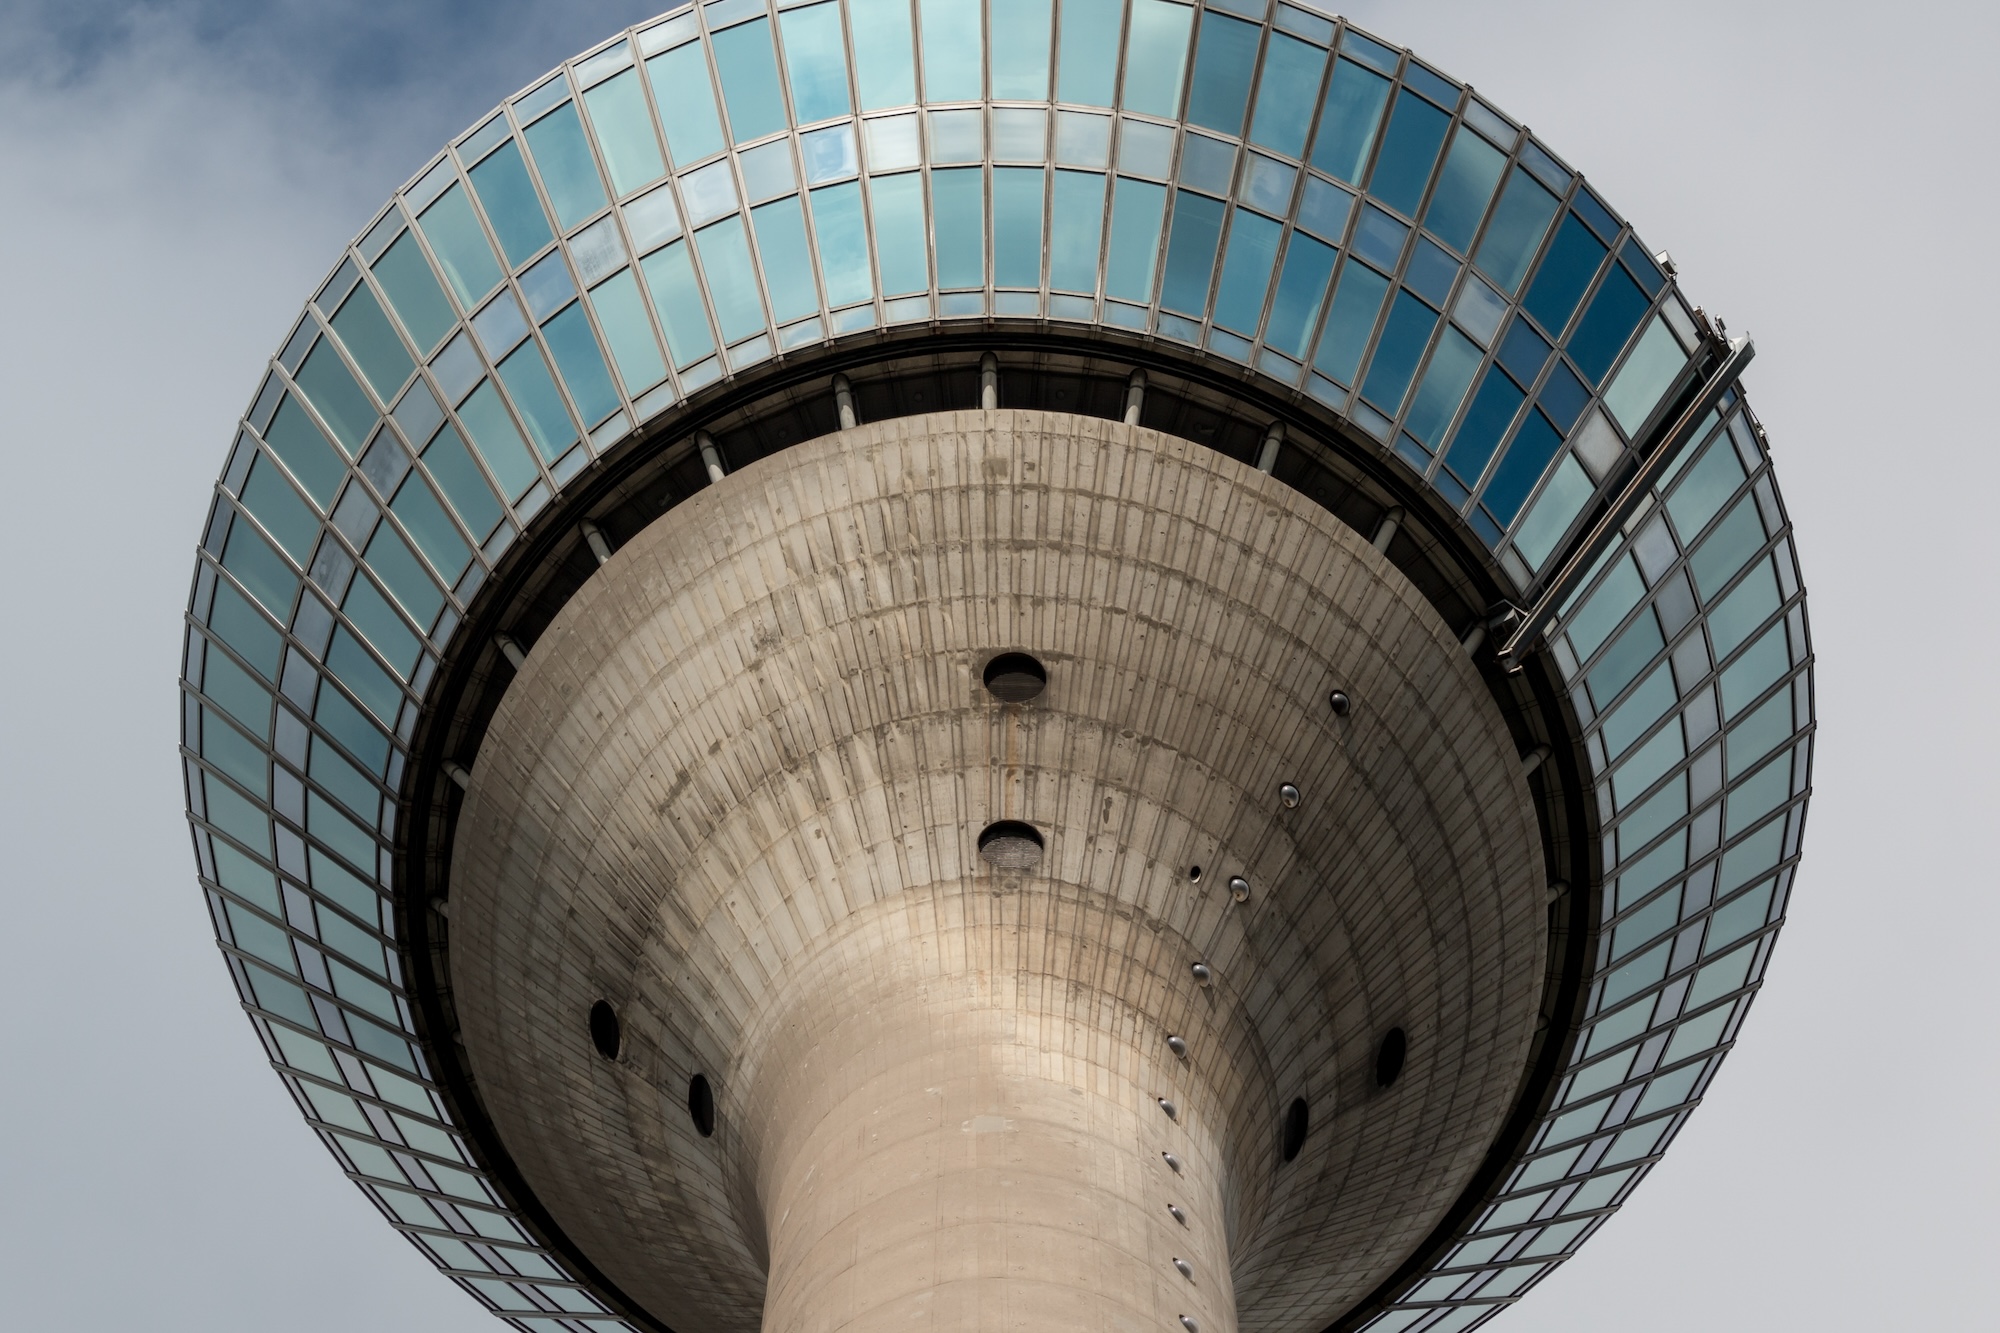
(737,794)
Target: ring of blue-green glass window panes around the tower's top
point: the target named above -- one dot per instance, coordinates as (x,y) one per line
(739,181)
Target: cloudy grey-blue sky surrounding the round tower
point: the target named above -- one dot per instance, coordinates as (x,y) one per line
(177,179)
